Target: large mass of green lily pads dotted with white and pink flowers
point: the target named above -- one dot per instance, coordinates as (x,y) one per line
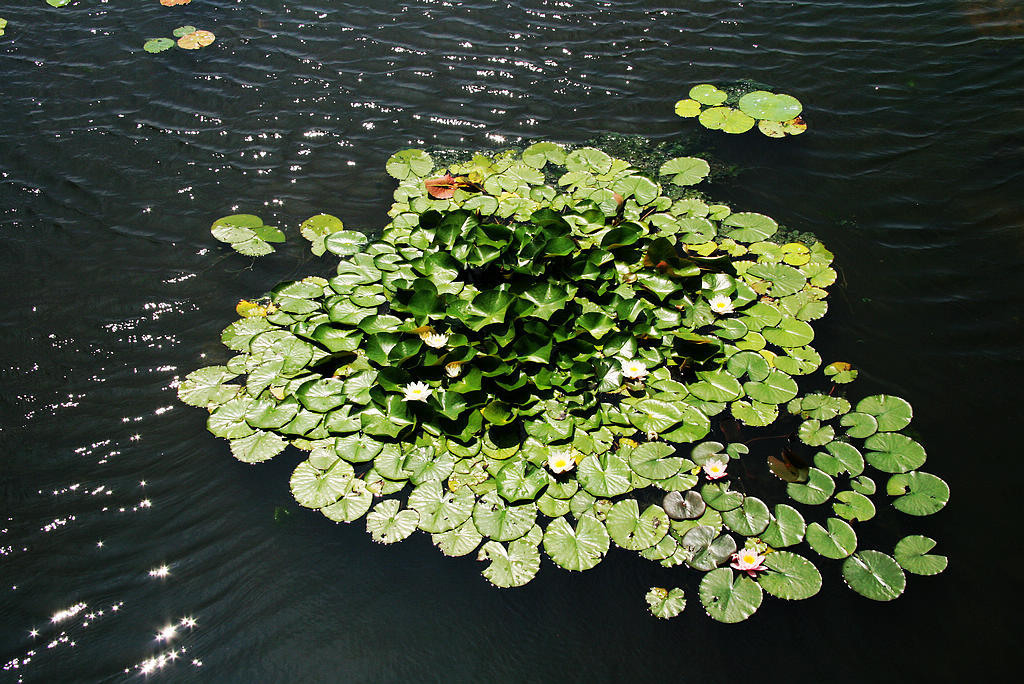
(531,362)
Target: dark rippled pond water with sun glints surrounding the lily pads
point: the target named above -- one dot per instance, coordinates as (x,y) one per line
(114,162)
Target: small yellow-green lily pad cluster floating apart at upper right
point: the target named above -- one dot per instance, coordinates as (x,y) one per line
(741,109)
